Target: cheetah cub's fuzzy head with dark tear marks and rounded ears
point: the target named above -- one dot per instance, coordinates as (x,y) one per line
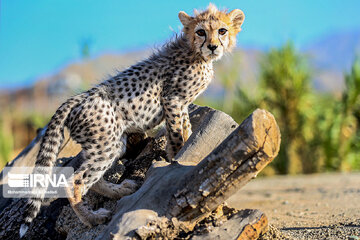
(212,32)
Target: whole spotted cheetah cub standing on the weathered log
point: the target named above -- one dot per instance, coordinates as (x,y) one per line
(137,99)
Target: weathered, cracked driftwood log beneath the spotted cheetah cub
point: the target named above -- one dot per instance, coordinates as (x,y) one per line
(182,199)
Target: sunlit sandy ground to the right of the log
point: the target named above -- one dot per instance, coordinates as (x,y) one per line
(320,206)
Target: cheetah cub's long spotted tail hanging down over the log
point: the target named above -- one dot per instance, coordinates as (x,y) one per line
(49,149)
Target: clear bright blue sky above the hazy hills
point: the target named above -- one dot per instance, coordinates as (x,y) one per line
(39,37)
